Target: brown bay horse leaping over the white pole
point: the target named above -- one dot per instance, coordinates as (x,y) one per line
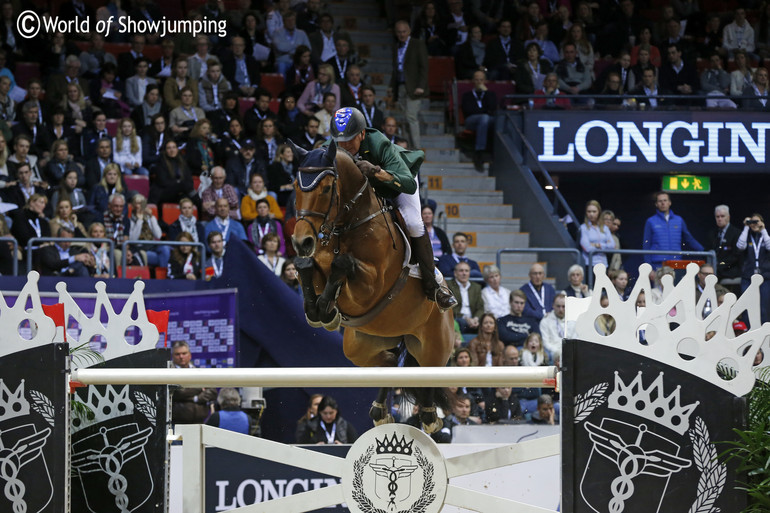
(351,261)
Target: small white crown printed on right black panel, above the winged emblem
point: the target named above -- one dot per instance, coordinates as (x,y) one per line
(652,403)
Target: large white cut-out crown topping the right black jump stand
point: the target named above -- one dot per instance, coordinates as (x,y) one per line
(679,331)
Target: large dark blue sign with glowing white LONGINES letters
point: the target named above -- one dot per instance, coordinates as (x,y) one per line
(649,141)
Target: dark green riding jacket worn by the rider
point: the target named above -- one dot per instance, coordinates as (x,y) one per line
(402,164)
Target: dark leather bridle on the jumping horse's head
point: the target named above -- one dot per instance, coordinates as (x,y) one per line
(329,229)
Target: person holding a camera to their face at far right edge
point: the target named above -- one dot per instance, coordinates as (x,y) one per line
(755,241)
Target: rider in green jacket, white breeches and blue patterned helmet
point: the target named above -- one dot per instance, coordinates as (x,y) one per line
(392,171)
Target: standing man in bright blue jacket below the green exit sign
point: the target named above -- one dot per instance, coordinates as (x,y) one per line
(666,231)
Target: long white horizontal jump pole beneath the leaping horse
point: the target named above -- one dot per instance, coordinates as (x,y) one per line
(325,377)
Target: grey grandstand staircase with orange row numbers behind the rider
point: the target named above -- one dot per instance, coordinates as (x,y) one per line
(467,200)
